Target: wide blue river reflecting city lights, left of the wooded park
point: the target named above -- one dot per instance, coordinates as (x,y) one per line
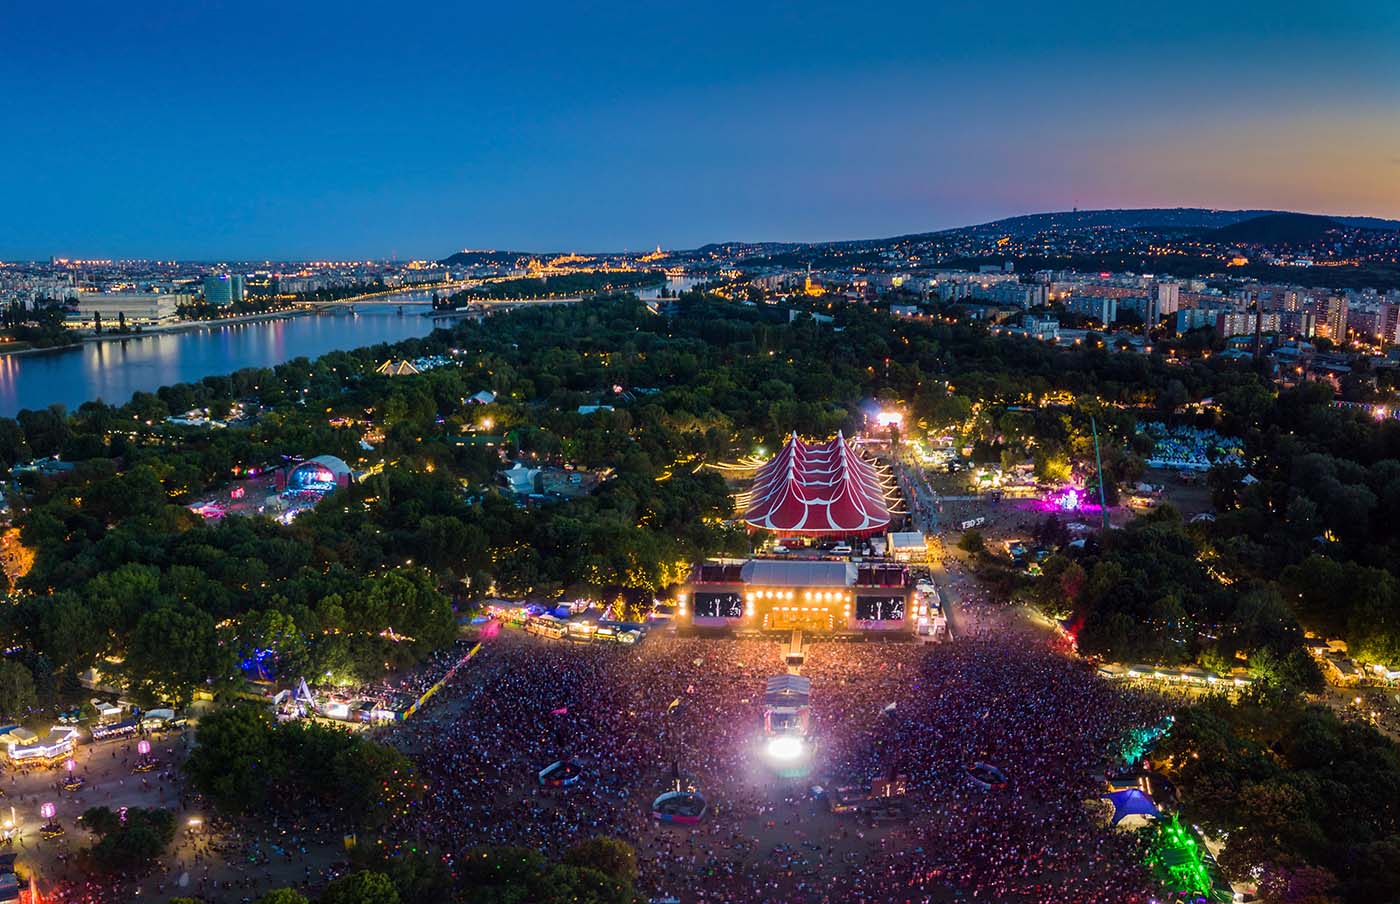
(115,370)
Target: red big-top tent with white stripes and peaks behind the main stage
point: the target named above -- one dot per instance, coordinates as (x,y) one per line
(818,489)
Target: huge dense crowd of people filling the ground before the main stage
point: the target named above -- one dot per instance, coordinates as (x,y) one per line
(1041,719)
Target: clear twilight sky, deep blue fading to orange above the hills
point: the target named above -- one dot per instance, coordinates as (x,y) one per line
(353,129)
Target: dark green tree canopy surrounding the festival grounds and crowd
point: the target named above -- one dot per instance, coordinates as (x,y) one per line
(127,579)
